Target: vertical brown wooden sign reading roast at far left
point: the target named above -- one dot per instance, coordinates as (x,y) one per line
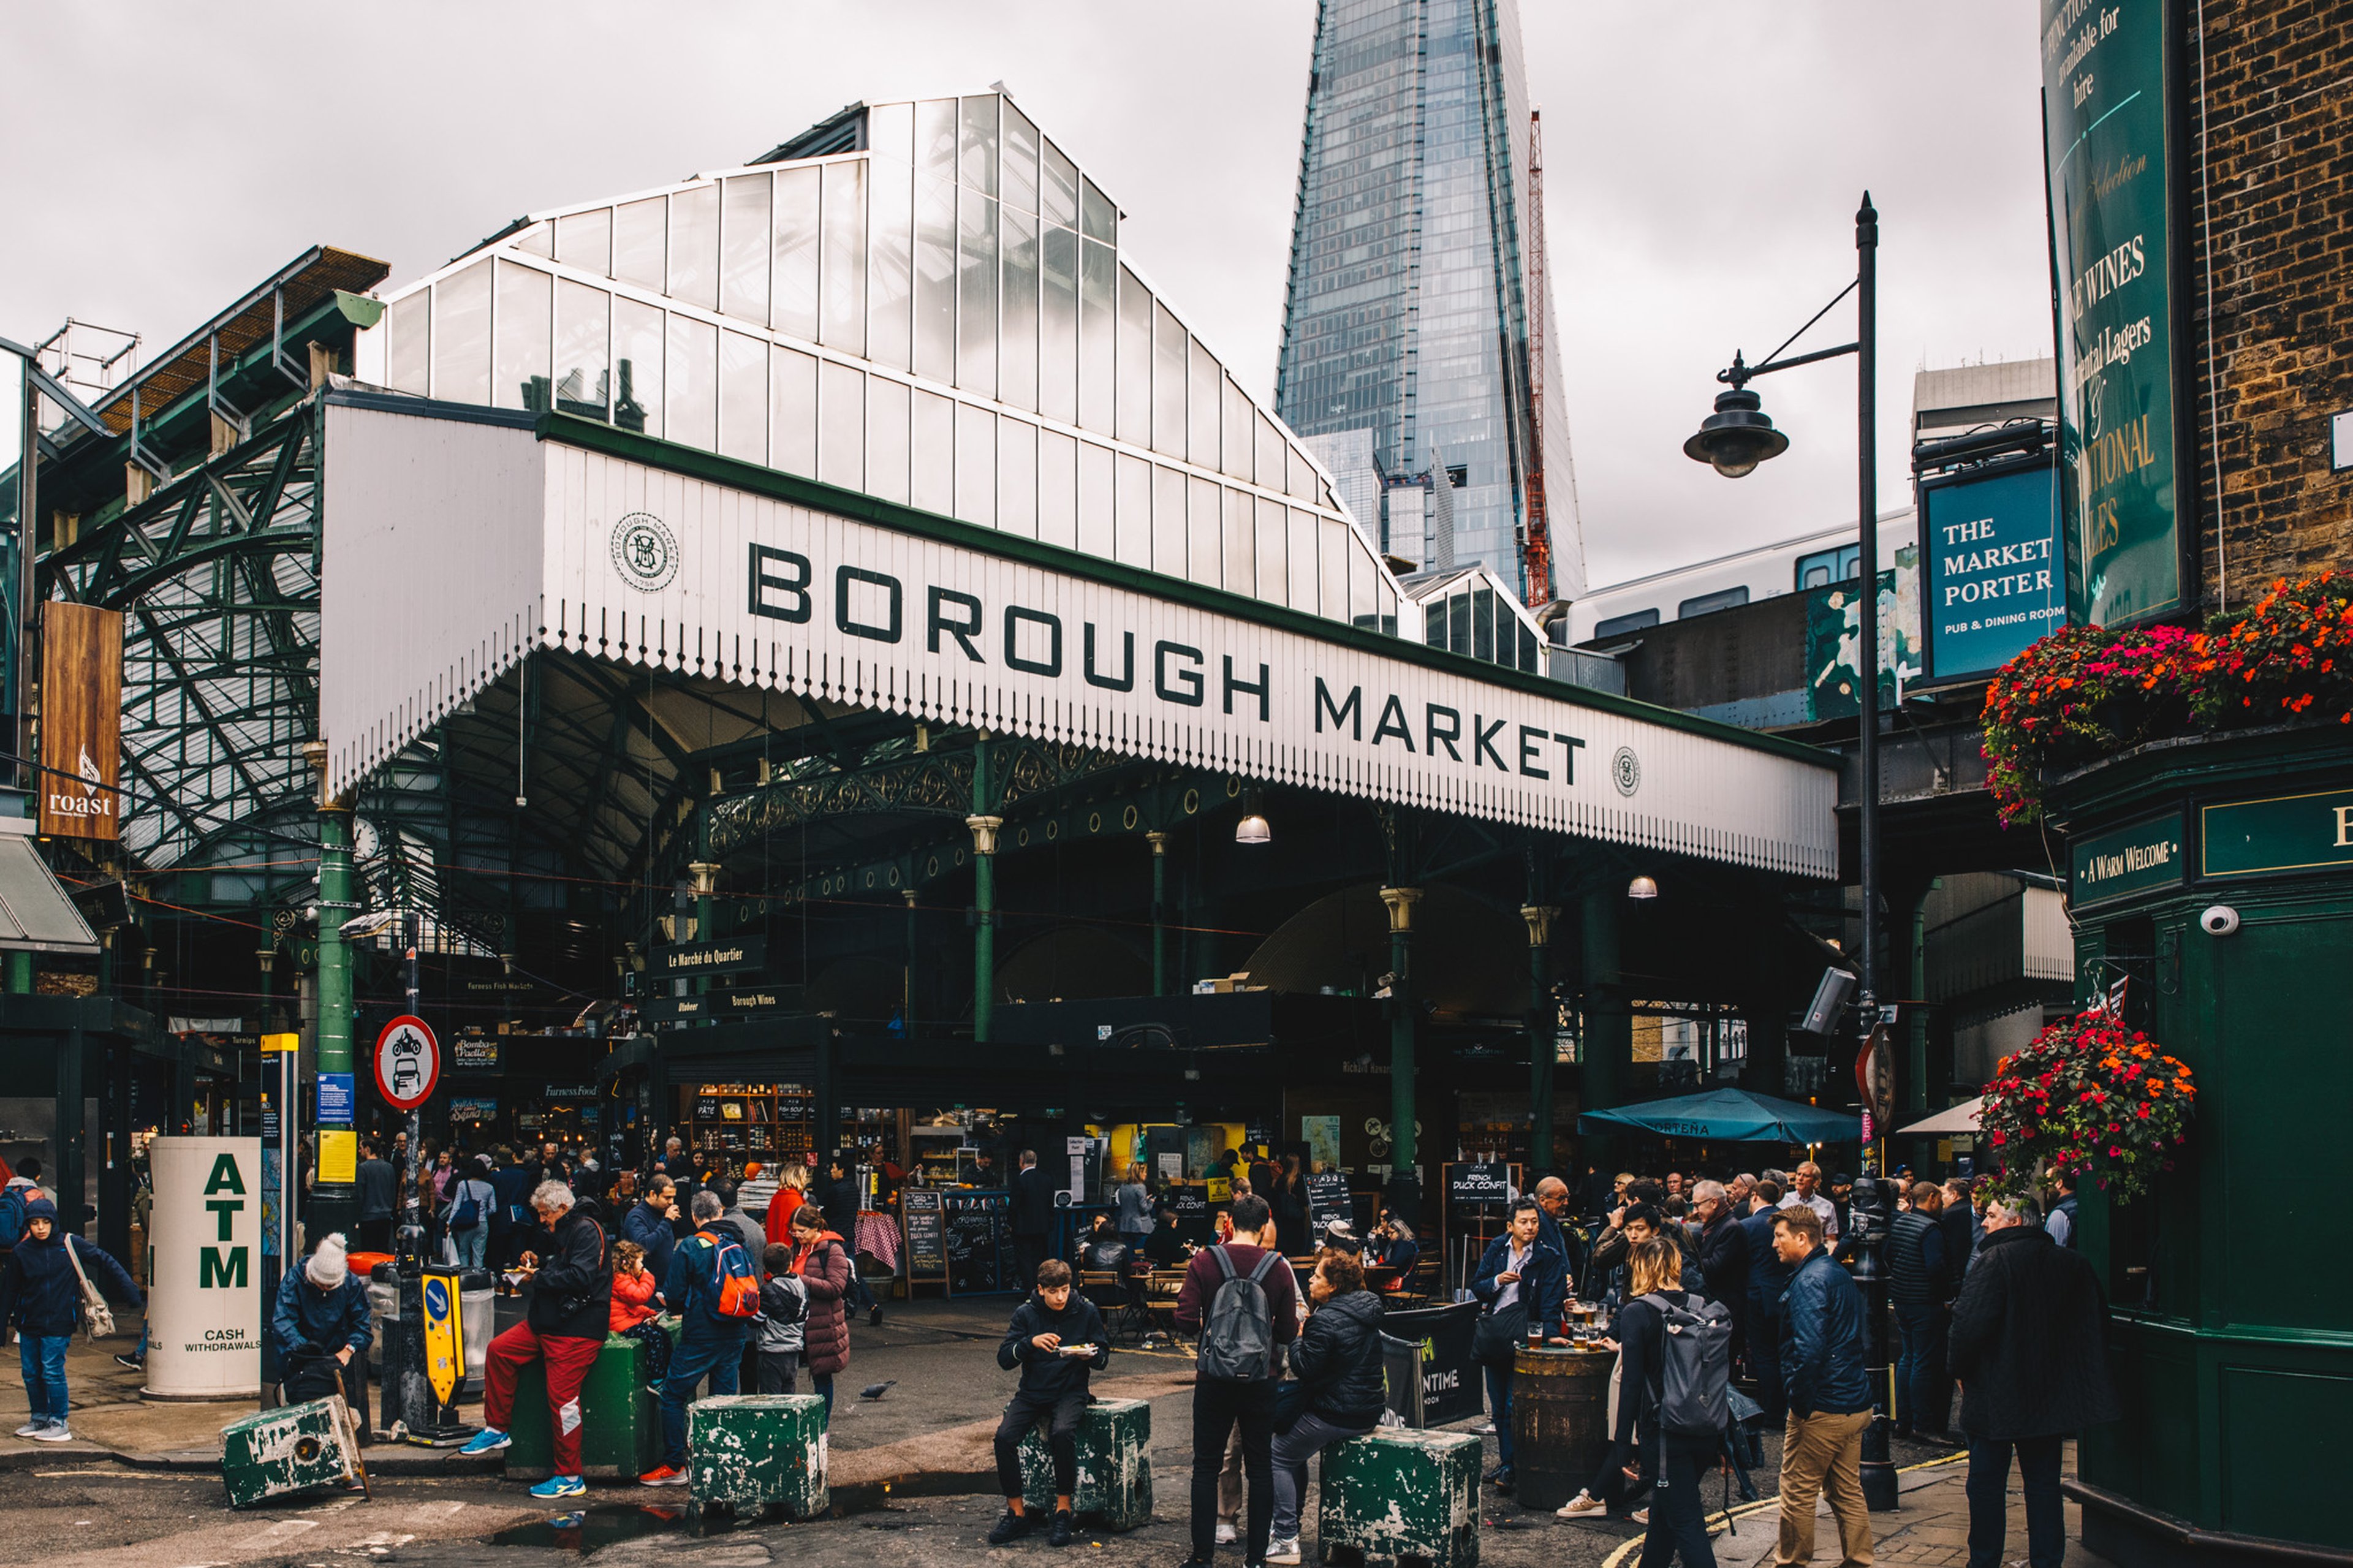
(81,722)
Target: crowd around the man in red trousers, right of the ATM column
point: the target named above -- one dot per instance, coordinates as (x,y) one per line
(726,1284)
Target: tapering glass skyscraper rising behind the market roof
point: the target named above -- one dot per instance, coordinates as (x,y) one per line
(1418,305)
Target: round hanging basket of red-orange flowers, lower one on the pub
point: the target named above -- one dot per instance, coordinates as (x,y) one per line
(2088,1098)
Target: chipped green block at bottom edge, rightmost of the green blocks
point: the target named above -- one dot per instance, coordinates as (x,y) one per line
(1401,1494)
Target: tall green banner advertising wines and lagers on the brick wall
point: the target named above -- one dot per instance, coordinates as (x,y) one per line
(2105,102)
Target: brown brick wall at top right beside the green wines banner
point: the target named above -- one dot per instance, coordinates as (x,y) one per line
(2279,192)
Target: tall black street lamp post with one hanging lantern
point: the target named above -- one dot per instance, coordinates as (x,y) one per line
(1735,439)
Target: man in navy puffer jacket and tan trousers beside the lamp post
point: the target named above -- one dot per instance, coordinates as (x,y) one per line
(1829,1397)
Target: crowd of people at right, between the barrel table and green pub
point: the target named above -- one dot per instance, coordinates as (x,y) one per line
(1982,1291)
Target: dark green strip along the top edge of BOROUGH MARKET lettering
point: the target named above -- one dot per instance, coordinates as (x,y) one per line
(756,479)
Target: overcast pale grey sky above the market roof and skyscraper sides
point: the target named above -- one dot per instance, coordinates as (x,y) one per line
(1702,166)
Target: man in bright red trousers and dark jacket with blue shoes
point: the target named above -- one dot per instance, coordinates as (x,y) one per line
(566,1327)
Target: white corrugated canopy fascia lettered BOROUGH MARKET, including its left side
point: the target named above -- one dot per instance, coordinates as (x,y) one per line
(641,552)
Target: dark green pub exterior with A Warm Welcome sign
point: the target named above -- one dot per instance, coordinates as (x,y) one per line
(2215,877)
